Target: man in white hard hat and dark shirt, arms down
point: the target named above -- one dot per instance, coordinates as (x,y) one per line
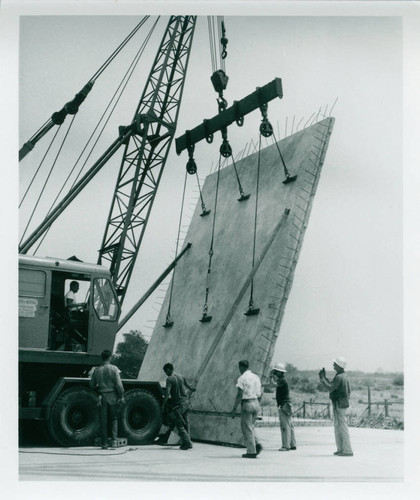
(285,408)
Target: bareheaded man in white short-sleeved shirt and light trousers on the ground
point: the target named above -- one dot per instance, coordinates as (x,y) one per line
(249,396)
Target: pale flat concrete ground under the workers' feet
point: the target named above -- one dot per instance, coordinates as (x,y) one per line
(378,458)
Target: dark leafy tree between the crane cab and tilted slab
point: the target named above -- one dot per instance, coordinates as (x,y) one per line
(130,353)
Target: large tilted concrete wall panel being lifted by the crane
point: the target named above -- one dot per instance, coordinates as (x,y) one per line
(208,353)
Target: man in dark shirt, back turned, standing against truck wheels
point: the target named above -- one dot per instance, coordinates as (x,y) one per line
(106,379)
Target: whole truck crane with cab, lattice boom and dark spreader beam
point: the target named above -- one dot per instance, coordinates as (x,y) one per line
(54,356)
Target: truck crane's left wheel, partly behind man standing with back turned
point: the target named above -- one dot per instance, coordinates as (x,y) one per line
(74,419)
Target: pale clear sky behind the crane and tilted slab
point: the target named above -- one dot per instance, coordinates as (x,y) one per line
(347,296)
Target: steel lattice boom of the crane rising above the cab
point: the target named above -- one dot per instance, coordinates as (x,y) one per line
(146,152)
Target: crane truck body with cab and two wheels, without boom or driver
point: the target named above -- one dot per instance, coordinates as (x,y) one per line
(58,348)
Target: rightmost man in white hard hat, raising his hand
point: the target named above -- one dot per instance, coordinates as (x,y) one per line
(340,390)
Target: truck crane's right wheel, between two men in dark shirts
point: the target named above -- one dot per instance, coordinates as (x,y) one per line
(140,418)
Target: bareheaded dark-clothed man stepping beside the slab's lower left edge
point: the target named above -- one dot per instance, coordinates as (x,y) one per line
(175,389)
